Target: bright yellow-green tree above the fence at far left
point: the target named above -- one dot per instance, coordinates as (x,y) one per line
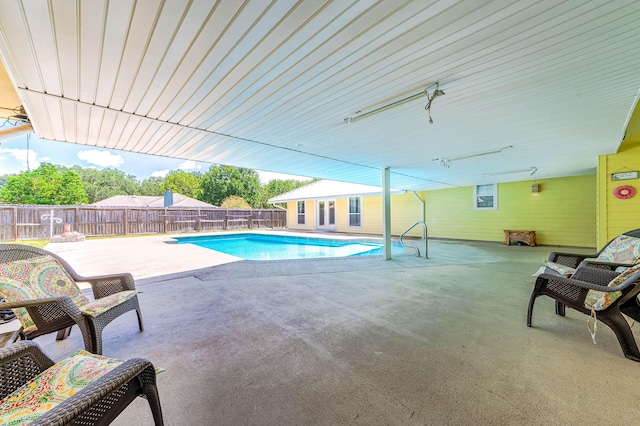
(47,184)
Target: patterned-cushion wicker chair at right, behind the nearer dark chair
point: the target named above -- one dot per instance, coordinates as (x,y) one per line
(623,250)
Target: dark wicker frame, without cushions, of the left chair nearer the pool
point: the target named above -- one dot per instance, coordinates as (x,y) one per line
(59,314)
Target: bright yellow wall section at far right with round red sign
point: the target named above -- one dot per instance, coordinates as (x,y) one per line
(617,216)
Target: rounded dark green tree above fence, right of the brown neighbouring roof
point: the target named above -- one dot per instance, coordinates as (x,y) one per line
(222,181)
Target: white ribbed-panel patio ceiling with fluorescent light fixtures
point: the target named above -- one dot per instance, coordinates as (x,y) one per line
(335,90)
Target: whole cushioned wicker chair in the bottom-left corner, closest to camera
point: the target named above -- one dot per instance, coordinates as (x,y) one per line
(82,389)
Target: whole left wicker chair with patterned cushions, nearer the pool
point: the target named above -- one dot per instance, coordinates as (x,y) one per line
(52,302)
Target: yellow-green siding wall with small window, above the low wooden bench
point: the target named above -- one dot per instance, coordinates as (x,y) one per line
(562,213)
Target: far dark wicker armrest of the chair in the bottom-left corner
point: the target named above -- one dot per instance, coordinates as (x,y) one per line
(19,363)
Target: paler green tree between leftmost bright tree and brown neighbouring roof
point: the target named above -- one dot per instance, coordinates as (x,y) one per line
(106,183)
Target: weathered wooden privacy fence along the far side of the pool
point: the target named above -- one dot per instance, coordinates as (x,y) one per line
(35,222)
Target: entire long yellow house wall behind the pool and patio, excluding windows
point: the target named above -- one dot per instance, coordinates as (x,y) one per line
(563,213)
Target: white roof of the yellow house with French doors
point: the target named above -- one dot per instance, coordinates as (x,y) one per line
(330,189)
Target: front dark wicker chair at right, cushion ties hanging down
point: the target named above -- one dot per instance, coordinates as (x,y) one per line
(601,293)
